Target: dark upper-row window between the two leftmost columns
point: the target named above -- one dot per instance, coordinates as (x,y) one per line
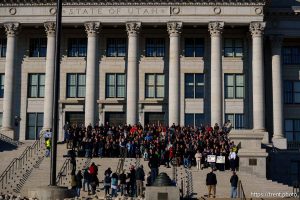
(38,47)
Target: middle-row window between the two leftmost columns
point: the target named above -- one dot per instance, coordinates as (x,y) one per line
(36,85)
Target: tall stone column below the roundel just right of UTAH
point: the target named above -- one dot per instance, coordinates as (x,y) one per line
(174,30)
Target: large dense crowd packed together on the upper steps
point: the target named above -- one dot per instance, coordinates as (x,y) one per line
(180,145)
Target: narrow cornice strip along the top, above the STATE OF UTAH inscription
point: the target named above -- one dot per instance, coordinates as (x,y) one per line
(134,2)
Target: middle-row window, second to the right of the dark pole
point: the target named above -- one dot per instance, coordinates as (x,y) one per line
(115,85)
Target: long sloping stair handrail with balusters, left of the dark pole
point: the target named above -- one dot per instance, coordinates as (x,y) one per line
(18,163)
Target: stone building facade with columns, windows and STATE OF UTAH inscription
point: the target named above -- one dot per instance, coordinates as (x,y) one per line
(186,62)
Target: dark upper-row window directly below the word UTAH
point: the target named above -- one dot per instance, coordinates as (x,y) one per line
(155,47)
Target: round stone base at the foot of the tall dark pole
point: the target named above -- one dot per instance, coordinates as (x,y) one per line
(50,192)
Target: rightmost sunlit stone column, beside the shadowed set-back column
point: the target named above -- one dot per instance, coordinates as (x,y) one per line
(258,86)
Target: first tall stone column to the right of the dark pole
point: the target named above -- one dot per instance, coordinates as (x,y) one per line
(92,30)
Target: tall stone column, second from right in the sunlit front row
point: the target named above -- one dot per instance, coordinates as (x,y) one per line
(216,29)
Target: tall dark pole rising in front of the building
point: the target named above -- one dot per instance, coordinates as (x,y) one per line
(56,93)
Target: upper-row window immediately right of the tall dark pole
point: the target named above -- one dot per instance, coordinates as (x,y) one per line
(77,47)
